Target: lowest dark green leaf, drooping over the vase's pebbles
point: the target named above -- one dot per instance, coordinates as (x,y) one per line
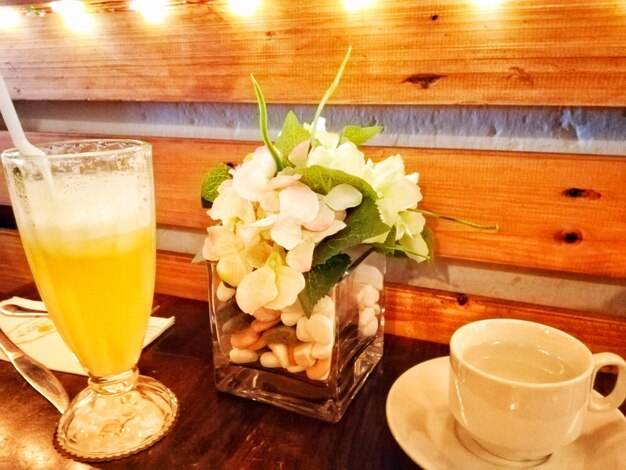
(320,279)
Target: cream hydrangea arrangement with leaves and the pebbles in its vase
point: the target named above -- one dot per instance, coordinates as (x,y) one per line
(287,216)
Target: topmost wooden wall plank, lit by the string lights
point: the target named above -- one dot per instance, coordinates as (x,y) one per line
(525,52)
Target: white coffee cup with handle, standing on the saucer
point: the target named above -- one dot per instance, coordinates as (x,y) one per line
(521,389)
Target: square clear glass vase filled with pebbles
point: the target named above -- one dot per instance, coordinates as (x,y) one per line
(311,365)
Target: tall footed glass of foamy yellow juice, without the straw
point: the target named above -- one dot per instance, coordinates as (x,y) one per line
(85,214)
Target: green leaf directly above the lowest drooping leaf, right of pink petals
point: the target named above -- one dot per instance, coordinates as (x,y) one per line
(363,222)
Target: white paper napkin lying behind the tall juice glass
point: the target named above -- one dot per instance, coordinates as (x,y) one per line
(38,337)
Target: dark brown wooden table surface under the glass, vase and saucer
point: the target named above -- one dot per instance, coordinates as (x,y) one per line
(216,430)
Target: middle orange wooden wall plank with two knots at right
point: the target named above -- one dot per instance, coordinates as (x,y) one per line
(556,212)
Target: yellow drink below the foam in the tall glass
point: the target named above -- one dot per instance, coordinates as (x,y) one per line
(99,294)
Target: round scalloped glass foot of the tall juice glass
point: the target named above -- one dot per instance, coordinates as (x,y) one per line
(99,426)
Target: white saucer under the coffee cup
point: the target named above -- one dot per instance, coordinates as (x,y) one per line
(418,417)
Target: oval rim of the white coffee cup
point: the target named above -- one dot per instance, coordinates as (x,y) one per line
(579,344)
